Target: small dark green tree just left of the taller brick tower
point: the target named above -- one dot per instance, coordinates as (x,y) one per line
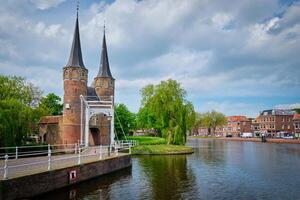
(51,104)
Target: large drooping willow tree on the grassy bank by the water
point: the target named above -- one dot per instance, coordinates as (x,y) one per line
(173,115)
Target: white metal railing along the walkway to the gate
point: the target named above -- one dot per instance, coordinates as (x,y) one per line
(54,155)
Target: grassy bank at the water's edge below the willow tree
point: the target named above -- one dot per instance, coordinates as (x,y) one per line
(160,150)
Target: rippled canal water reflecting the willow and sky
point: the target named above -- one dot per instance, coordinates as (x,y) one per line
(217,170)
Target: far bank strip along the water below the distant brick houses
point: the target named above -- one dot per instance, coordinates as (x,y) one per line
(270,140)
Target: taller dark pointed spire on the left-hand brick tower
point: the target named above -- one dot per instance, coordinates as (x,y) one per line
(75,59)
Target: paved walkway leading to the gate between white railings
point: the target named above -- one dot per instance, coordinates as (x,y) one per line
(35,165)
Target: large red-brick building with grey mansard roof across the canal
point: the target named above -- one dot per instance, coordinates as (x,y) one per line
(276,122)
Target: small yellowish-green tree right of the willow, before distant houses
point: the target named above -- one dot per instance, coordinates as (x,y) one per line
(210,120)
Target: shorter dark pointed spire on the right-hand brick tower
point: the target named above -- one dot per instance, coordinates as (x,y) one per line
(104,70)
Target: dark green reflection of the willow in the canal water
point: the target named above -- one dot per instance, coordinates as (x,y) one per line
(169,176)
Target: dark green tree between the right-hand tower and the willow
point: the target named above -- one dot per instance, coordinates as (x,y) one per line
(124,120)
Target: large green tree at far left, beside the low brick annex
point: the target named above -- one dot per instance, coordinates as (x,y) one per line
(18,116)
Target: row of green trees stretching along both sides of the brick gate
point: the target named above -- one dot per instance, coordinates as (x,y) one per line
(164,110)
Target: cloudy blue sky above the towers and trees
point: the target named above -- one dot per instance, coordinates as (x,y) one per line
(236,57)
